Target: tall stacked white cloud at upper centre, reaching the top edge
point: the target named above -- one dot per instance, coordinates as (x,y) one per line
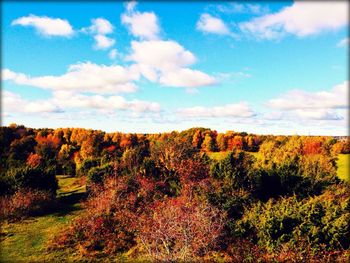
(157,60)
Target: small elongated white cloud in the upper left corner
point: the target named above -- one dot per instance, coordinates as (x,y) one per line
(46,26)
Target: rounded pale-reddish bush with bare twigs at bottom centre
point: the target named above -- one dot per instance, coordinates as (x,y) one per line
(179,229)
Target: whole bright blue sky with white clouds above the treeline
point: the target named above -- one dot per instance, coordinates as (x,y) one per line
(148,67)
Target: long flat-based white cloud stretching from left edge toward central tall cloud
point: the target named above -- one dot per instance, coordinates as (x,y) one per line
(82,77)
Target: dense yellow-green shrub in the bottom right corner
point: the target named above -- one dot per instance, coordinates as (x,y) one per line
(321,221)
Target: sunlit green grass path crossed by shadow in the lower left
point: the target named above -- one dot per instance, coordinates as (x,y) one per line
(26,240)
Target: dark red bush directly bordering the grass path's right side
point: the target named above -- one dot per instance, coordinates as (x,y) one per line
(108,221)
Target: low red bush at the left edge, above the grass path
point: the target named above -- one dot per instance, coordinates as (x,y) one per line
(25,202)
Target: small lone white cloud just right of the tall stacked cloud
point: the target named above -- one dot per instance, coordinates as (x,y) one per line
(214,25)
